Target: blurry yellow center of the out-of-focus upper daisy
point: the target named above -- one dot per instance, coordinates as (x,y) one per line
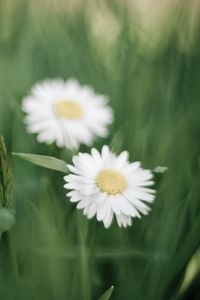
(68,109)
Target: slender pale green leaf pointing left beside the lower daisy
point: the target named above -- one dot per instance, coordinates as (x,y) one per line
(44,161)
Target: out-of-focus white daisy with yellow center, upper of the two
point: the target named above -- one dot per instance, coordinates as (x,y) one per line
(66,113)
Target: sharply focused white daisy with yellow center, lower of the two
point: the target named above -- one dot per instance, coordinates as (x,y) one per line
(105,185)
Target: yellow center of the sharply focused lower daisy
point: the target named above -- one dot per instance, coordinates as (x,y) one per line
(111,182)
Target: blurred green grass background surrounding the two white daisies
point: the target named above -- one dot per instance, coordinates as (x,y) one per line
(146,57)
